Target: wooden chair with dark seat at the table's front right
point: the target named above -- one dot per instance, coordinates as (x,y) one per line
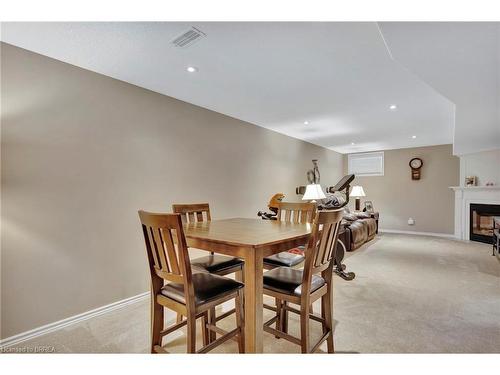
(302,287)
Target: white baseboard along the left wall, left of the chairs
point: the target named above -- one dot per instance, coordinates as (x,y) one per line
(51,327)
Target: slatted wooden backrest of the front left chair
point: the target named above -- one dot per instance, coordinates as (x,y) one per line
(166,247)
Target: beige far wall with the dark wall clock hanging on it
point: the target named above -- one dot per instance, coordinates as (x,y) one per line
(429,200)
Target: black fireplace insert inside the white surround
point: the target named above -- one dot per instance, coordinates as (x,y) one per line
(481,221)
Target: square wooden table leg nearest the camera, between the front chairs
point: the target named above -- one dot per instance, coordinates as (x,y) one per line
(253,301)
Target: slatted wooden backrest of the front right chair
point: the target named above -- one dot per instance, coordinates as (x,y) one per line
(322,243)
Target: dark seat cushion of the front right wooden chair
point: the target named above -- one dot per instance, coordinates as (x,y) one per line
(289,281)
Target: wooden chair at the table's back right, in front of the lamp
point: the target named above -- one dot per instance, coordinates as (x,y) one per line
(292,213)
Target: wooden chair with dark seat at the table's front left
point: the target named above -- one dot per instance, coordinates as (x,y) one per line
(188,293)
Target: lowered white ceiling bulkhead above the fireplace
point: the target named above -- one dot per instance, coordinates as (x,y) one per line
(462,61)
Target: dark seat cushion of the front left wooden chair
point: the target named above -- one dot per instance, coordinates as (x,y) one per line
(206,287)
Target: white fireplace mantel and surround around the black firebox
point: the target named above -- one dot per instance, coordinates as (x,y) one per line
(464,196)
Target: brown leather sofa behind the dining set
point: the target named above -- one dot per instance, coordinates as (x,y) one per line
(359,228)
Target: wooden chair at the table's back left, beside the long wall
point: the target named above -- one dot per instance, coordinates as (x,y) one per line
(217,264)
